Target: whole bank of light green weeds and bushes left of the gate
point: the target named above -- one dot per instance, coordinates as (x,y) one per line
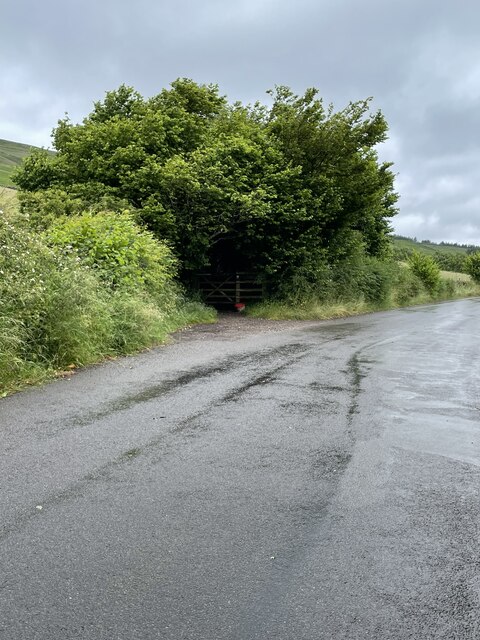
(86,288)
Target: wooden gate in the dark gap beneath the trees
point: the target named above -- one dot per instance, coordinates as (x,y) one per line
(228,290)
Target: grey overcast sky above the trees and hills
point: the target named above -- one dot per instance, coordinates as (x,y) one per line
(419,59)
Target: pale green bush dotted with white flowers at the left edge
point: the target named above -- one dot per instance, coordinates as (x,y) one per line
(53,313)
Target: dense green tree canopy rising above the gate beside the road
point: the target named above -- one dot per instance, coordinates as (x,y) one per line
(276,188)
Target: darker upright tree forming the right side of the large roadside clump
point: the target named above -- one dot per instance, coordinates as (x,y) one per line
(339,160)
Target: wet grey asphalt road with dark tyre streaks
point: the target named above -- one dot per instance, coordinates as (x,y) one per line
(316,481)
